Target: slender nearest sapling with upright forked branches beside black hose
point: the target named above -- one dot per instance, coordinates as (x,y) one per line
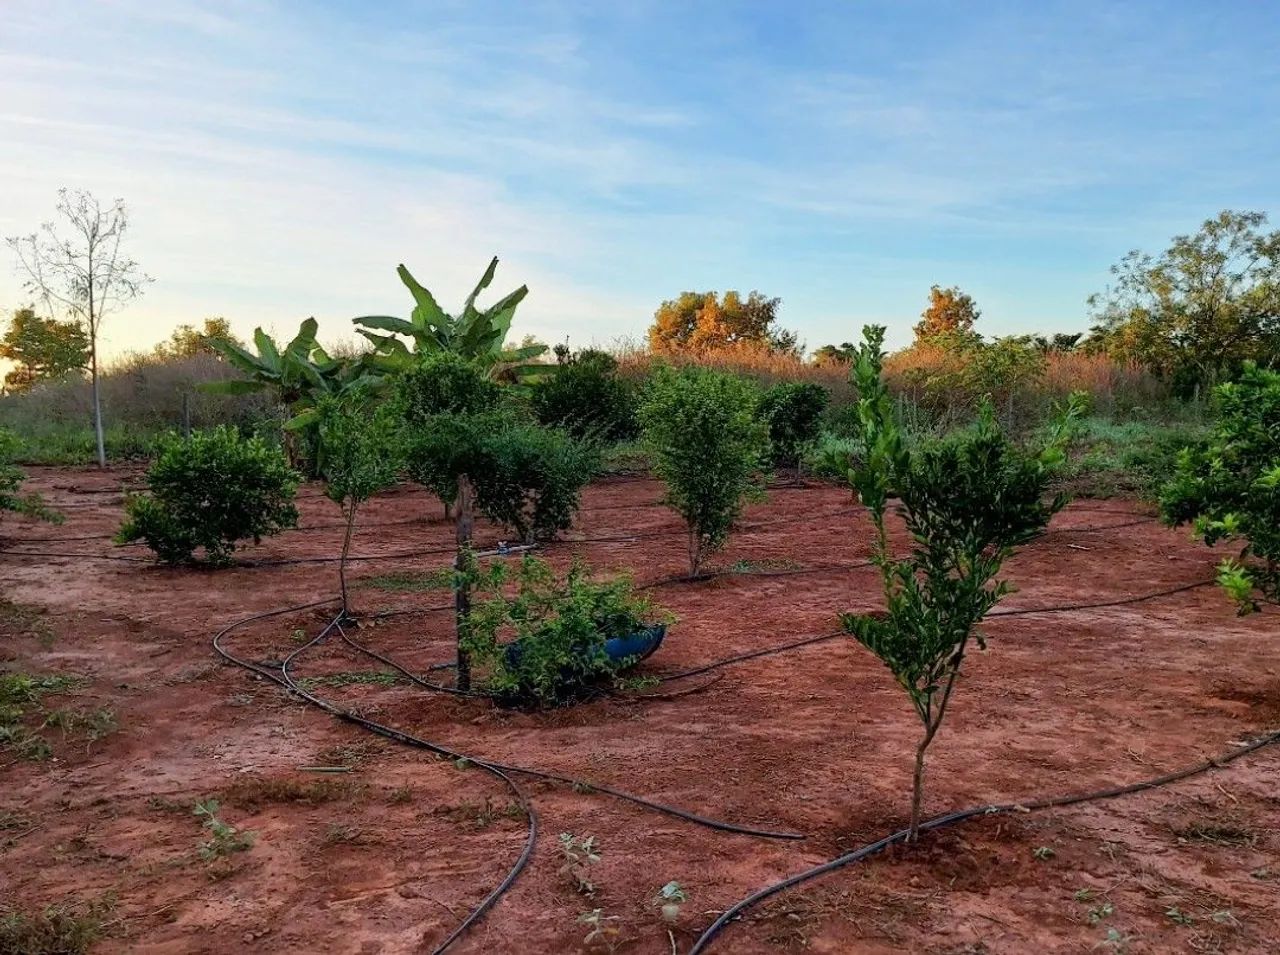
(968,502)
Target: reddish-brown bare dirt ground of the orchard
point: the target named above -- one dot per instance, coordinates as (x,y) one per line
(391,855)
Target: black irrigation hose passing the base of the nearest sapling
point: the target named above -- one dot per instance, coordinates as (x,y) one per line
(962,815)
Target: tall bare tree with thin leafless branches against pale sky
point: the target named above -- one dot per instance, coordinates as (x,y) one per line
(83,272)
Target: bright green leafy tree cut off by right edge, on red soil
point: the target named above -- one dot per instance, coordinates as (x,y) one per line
(1229,487)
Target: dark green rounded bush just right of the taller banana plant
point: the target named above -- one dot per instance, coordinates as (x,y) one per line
(586,397)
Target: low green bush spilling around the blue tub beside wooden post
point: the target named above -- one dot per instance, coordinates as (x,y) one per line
(559,628)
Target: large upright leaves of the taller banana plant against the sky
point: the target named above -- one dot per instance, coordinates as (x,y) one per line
(476,335)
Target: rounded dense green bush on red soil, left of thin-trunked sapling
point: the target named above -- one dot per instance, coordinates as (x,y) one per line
(212,491)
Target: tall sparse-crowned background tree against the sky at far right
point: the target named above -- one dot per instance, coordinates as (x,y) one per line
(1199,310)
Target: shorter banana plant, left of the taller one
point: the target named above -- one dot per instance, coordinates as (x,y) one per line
(301,373)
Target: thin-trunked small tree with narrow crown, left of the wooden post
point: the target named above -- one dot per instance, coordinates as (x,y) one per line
(359,454)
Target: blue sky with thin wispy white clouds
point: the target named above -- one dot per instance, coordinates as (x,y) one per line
(281,159)
